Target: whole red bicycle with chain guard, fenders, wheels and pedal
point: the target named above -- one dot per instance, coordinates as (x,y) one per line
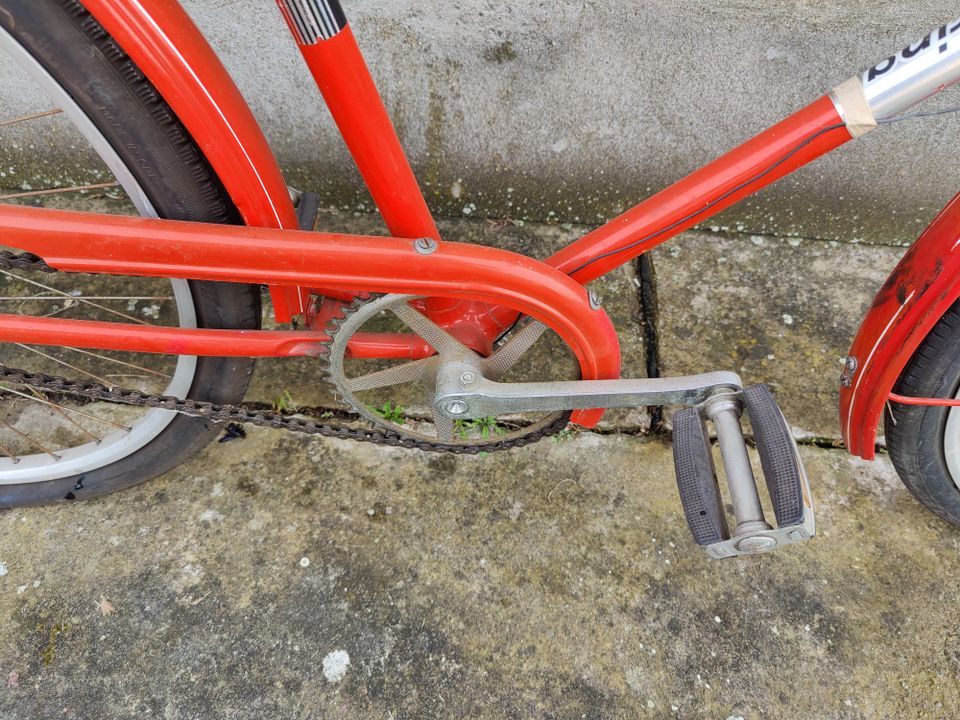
(123,384)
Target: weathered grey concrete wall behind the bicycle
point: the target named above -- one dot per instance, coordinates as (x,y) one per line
(573,110)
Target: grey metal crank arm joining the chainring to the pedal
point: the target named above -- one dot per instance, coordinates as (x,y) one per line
(463,393)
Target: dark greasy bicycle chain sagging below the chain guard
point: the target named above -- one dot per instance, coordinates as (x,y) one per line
(234,413)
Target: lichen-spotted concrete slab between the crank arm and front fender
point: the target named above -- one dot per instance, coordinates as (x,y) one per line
(780,311)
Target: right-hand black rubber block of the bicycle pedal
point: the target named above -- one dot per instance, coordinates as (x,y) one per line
(778,454)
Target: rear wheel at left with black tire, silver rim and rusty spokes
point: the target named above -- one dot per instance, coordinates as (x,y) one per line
(54,449)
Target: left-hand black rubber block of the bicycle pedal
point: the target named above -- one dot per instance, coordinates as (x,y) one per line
(697,478)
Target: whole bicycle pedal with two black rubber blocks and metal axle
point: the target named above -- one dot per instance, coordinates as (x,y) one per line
(783,472)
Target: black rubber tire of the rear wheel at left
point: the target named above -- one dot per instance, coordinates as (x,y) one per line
(142,129)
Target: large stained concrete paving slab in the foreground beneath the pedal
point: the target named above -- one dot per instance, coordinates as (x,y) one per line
(286,576)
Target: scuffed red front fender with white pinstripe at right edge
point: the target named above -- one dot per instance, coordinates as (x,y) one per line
(921,288)
